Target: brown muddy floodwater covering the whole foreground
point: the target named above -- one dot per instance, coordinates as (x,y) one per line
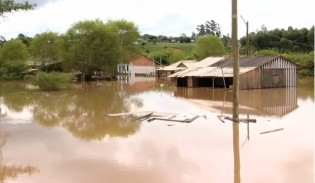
(66,136)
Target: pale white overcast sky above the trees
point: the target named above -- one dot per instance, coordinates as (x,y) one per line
(159,17)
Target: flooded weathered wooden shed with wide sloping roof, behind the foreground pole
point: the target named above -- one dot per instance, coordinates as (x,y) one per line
(255,72)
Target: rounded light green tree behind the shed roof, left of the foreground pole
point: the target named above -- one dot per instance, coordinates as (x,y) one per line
(208,45)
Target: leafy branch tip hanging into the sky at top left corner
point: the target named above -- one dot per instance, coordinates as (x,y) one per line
(8,6)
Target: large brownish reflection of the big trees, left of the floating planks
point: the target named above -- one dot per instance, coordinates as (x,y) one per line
(83,112)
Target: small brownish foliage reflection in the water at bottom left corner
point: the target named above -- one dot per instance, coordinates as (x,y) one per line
(12,171)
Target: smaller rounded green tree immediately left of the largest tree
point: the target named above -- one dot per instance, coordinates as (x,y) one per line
(45,48)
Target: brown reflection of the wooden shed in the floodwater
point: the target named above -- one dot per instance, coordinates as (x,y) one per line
(262,102)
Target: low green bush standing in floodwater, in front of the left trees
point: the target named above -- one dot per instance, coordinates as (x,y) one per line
(51,81)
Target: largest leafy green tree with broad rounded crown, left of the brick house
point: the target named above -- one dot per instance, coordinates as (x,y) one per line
(92,46)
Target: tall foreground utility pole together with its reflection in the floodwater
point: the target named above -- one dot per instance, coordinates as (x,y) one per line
(236,145)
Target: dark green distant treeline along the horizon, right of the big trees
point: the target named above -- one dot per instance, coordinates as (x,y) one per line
(290,40)
